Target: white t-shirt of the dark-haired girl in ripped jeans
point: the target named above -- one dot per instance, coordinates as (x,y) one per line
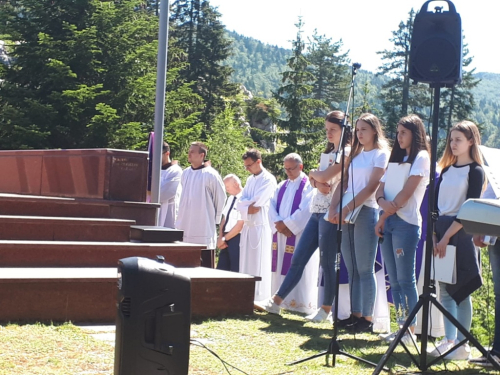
(421,166)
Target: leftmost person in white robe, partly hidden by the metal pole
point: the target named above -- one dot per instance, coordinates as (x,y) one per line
(170,189)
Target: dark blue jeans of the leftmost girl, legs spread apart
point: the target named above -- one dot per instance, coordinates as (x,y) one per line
(318,232)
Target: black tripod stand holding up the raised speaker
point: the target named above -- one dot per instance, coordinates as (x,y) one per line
(429,290)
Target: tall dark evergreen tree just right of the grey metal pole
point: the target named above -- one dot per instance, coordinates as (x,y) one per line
(201,34)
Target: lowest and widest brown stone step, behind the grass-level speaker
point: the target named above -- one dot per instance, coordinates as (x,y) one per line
(89,294)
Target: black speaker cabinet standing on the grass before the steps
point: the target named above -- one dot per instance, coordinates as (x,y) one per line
(153,319)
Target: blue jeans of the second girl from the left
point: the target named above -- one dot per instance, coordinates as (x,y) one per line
(359,249)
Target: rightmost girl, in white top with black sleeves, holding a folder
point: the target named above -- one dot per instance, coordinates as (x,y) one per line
(462,178)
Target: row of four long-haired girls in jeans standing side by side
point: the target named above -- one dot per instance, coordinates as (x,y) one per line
(396,223)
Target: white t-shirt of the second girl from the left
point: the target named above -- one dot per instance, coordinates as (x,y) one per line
(361,169)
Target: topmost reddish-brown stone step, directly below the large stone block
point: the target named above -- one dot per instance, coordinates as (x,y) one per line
(32,205)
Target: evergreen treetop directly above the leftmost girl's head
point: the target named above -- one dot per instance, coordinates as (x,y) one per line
(330,69)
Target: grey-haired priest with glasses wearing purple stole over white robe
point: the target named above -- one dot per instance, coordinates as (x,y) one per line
(289,213)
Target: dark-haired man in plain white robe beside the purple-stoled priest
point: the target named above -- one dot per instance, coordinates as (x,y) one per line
(256,236)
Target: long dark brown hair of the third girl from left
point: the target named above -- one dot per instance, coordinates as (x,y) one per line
(418,140)
